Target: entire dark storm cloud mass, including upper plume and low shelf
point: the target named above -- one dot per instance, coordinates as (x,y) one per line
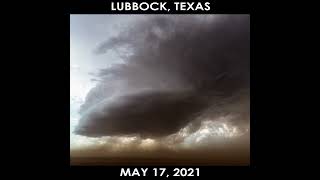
(175,69)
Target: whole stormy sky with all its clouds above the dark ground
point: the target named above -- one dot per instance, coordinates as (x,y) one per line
(159,85)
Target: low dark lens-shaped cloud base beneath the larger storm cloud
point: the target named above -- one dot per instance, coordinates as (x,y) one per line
(149,114)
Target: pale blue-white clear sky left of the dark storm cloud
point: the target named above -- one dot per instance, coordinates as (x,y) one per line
(86,32)
